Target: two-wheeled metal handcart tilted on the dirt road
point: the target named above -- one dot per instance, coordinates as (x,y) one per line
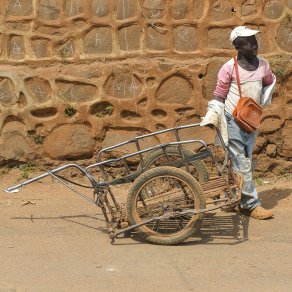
(172,185)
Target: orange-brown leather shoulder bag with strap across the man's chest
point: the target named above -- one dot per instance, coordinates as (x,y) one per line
(247,113)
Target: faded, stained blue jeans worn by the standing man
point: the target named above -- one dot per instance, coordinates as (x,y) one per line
(240,150)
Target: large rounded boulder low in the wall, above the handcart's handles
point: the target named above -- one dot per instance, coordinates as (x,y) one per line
(70,142)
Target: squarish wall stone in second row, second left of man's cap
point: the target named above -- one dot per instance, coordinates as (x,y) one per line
(185,38)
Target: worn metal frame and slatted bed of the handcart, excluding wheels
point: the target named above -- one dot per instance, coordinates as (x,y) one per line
(222,190)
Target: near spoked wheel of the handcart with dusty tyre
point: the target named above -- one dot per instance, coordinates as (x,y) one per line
(169,190)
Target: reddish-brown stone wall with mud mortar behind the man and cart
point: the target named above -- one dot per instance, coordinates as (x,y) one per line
(76,75)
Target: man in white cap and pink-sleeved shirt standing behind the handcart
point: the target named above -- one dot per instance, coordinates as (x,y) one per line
(255,76)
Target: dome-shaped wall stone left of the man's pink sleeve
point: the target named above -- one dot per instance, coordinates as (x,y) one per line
(176,89)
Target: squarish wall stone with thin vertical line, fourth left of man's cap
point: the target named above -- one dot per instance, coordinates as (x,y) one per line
(129,38)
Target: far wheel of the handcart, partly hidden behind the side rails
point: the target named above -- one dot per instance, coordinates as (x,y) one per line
(196,168)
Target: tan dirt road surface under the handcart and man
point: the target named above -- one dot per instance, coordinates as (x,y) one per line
(52,240)
